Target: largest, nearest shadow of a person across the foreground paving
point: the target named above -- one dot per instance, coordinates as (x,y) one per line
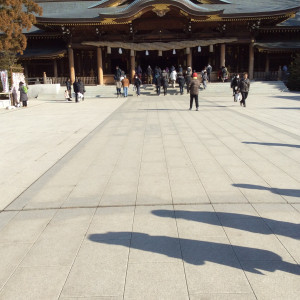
(198,252)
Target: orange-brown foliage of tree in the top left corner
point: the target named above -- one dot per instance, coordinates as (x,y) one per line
(15,16)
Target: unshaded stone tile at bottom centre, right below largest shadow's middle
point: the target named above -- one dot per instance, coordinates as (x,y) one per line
(155,281)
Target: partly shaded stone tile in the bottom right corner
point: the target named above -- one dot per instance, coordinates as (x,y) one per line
(273,280)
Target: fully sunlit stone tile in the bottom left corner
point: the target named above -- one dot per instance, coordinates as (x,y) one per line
(35,283)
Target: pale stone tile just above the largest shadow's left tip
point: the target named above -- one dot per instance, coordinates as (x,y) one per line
(112,219)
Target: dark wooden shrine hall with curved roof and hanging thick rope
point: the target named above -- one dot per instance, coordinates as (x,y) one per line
(88,39)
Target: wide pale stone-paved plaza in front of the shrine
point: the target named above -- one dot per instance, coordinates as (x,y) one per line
(140,198)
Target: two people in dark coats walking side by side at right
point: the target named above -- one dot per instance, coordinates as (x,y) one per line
(240,88)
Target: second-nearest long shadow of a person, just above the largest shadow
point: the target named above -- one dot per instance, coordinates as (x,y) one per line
(238,221)
